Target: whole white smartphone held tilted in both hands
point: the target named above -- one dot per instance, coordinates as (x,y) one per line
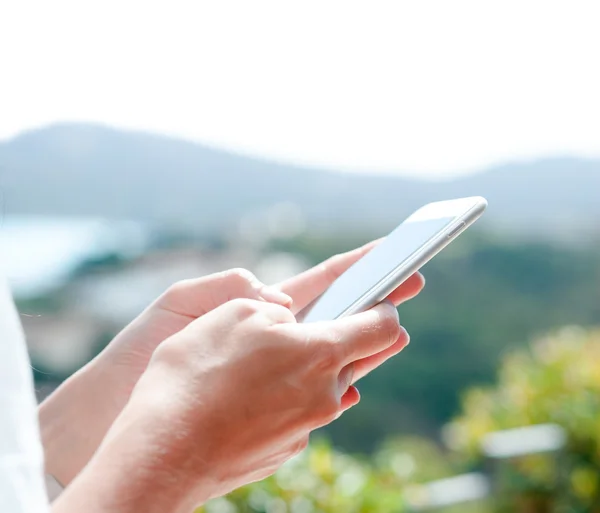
(403,252)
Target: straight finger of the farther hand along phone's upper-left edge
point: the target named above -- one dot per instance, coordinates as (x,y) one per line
(310,284)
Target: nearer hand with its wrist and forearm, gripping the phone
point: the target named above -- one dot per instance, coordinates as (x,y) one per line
(226,401)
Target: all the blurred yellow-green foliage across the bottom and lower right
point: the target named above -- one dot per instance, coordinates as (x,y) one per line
(556,380)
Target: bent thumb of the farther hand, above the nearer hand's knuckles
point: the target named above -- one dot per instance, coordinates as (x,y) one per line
(195,297)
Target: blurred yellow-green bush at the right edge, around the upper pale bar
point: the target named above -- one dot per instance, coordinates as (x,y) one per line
(556,381)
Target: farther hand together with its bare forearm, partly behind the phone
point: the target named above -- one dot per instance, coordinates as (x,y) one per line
(77,416)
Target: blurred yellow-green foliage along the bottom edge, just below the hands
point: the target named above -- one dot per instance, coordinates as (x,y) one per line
(324,480)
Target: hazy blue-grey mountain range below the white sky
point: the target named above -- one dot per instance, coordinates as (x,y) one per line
(92,170)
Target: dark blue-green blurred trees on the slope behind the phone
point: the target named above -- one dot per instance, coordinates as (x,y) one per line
(482,297)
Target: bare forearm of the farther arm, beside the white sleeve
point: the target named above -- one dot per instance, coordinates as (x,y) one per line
(73,422)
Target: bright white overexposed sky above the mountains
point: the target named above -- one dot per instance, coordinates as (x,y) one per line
(427,88)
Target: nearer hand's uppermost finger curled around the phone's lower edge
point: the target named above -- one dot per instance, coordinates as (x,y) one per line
(357,336)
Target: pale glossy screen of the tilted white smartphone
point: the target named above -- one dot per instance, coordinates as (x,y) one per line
(375,266)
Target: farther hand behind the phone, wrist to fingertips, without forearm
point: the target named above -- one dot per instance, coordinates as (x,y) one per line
(127,355)
